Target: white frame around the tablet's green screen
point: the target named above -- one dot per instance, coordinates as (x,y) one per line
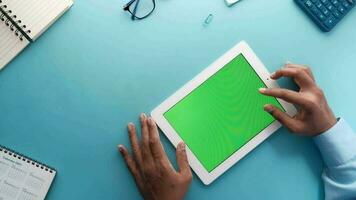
(173,136)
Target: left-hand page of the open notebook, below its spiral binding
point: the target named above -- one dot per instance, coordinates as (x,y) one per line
(10,44)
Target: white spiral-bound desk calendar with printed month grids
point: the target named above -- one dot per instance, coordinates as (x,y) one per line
(23,178)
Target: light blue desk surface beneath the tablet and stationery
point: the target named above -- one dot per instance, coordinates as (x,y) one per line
(67,98)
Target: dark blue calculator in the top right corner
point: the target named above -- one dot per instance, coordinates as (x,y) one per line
(326,13)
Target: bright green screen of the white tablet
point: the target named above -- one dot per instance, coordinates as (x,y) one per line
(223,114)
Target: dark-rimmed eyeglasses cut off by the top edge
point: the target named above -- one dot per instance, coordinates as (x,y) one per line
(140,9)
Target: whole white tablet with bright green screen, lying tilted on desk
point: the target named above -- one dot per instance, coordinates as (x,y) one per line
(219,114)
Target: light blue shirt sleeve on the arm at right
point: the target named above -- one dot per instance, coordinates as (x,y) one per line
(338,149)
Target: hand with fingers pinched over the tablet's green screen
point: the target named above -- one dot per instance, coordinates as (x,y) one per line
(314,115)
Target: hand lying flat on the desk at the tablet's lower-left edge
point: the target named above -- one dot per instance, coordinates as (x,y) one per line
(154,175)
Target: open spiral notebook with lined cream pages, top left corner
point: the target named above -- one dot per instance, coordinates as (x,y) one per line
(23,21)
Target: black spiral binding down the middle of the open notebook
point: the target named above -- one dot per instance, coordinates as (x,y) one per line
(12,22)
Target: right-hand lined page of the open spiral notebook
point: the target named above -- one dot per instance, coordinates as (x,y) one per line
(37,15)
